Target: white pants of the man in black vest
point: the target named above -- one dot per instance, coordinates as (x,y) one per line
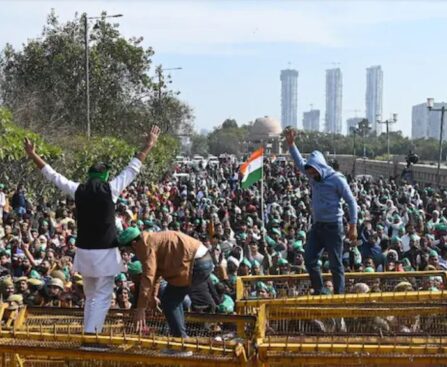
(98,296)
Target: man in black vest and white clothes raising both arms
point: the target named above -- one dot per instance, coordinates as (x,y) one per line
(97,257)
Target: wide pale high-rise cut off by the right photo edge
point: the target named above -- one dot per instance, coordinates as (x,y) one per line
(426,123)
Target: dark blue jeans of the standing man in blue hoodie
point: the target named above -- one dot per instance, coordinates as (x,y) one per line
(325,236)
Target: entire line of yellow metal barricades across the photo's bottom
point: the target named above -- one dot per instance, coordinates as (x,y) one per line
(403,325)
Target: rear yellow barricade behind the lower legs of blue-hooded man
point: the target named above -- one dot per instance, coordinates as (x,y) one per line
(382,287)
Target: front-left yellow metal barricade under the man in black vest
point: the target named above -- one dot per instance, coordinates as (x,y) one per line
(50,336)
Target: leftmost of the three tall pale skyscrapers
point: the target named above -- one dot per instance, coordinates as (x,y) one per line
(289,98)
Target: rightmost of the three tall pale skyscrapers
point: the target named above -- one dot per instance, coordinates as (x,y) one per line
(374,95)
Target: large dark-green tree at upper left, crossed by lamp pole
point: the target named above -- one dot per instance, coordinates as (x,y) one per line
(44,84)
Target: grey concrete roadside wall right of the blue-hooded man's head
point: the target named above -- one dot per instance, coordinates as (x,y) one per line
(421,173)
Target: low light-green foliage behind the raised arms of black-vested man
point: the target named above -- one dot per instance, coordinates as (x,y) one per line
(78,155)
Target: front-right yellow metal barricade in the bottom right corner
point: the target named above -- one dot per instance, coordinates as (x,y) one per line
(383,334)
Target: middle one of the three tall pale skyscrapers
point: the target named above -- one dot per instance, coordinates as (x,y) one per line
(334,86)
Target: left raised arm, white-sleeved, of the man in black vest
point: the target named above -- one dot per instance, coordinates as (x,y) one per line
(65,185)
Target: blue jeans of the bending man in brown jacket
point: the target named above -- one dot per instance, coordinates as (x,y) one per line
(172,297)
